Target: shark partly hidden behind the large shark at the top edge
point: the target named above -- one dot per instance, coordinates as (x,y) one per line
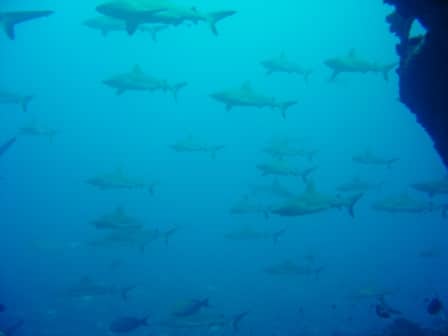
(106,25)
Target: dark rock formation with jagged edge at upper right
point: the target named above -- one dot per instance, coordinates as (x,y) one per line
(423,67)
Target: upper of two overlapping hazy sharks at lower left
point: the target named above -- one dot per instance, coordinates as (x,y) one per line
(117,220)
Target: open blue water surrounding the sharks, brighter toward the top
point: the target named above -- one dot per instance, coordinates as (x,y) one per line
(46,205)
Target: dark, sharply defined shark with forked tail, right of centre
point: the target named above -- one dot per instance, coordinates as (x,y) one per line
(311,201)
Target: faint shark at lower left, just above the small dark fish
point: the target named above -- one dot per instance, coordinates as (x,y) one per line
(86,289)
